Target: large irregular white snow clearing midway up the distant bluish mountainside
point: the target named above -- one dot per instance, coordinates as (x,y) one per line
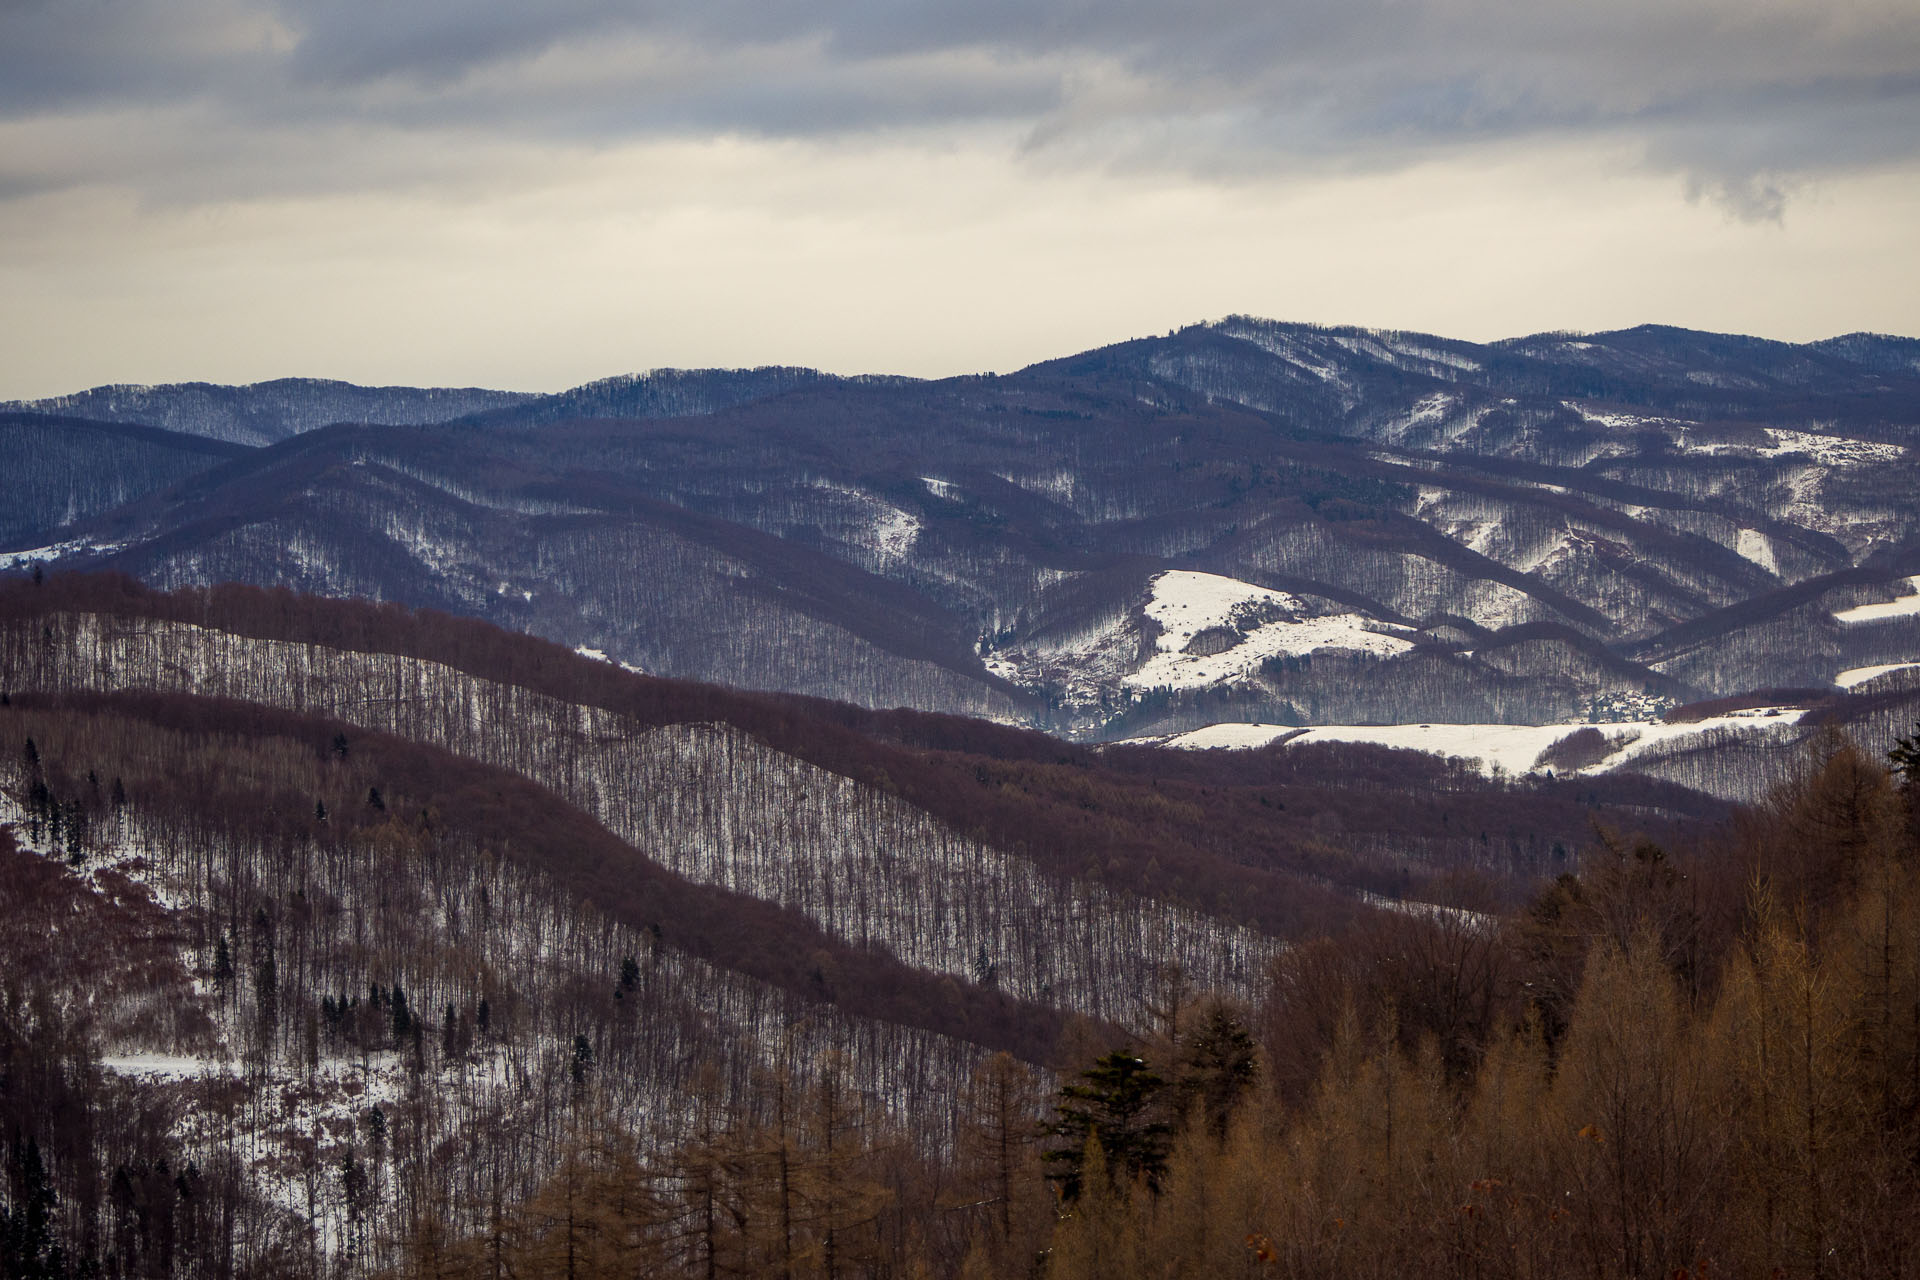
(1259,623)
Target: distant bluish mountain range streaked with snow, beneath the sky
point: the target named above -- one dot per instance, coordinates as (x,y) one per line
(1243,521)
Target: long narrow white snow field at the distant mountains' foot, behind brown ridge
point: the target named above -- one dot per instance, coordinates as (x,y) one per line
(1508,749)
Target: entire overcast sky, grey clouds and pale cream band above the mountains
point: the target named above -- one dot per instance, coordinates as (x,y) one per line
(535,195)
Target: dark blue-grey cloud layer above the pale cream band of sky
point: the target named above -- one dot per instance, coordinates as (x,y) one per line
(1742,97)
